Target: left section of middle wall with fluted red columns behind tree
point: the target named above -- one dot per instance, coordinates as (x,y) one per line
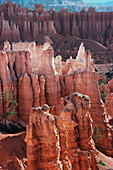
(26,88)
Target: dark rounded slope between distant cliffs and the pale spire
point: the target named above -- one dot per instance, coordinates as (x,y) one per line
(67,46)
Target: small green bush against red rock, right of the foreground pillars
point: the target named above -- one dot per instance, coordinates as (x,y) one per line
(96,133)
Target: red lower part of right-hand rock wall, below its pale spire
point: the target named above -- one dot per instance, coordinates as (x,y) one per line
(87,83)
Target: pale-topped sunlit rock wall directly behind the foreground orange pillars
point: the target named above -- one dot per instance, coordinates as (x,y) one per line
(42,84)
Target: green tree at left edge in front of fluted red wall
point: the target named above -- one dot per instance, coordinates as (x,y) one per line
(9,107)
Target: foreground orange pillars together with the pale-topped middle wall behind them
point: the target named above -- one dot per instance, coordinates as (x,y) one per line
(34,84)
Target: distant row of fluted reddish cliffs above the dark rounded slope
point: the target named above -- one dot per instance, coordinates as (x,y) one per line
(23,24)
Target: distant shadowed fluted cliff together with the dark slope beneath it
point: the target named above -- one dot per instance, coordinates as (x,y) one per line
(65,29)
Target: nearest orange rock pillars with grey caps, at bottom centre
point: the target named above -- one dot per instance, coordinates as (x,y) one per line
(64,141)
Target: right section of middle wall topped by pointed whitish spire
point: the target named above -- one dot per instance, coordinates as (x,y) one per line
(81,77)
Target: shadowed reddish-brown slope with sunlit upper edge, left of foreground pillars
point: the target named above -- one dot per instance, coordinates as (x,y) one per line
(11,146)
